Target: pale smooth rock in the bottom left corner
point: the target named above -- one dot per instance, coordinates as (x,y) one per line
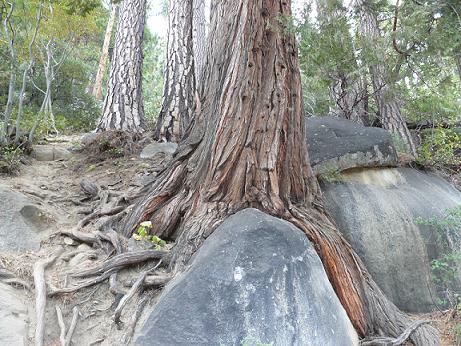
(13,317)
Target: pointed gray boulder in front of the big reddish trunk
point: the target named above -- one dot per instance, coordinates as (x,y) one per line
(255,278)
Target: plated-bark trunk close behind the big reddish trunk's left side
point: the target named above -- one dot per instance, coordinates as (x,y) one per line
(179,87)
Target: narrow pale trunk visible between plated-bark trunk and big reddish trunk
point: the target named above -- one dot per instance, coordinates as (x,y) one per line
(199,38)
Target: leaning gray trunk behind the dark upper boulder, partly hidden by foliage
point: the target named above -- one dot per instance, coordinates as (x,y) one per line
(386,99)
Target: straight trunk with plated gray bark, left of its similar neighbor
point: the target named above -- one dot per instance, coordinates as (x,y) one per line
(123,106)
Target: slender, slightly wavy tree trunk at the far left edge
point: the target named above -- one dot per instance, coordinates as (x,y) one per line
(10,37)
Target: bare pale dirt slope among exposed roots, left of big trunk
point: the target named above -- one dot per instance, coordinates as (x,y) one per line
(55,187)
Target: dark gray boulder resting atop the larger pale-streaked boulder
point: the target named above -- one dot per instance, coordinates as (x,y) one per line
(341,144)
